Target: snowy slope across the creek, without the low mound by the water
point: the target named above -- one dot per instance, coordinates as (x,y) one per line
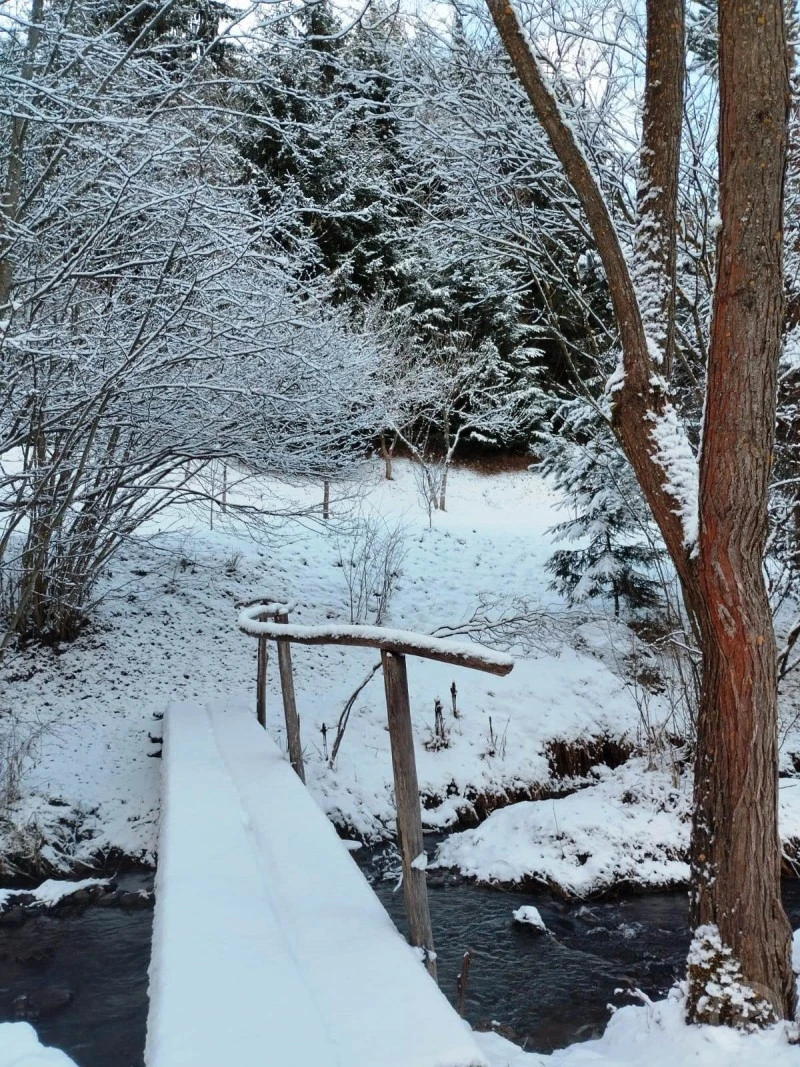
(167,630)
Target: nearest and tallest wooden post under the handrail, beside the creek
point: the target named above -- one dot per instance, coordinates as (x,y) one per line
(407,800)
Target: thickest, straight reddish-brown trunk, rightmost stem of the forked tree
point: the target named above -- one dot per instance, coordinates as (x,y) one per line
(737,873)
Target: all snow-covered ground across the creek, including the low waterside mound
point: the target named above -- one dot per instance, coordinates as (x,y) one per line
(167,630)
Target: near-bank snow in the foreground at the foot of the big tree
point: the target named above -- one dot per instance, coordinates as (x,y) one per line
(657,1036)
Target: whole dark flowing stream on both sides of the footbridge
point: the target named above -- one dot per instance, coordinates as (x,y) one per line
(82,976)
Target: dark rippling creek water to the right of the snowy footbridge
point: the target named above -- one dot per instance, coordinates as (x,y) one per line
(548,991)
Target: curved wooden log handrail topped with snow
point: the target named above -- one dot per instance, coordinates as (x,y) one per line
(403,642)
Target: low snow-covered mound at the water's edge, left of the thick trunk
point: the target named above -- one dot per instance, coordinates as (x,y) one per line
(632,826)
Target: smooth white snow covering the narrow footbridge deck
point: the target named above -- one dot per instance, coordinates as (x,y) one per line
(269,946)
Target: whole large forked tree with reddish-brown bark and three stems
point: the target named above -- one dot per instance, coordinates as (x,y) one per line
(735,843)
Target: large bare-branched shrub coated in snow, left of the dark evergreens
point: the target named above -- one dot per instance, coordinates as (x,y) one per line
(151,323)
